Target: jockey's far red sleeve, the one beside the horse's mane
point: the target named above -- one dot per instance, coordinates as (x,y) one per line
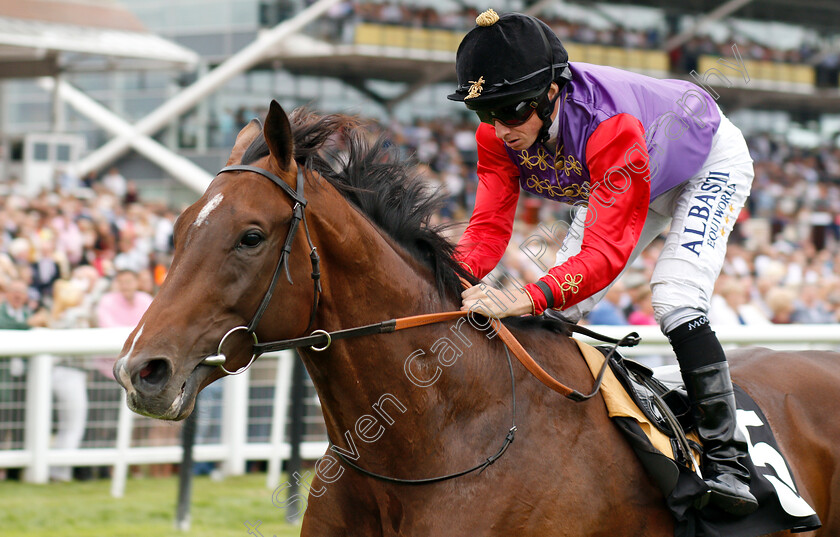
(491,224)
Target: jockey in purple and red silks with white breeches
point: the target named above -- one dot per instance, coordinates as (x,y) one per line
(637,155)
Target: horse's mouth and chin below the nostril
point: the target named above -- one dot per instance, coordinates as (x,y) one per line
(165,406)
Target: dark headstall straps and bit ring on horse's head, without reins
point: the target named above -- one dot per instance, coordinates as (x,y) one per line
(298,216)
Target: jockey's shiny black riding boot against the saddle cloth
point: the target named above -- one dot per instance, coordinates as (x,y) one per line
(709,386)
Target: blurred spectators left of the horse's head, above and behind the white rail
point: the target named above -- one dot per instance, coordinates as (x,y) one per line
(89,253)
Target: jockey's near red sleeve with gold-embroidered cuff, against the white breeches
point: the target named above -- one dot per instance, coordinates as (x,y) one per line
(617,157)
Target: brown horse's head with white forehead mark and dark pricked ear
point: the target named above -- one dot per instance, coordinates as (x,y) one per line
(227,247)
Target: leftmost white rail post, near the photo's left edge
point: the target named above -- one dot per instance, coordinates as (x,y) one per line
(38,417)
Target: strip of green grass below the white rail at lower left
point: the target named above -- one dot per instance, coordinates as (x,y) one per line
(86,509)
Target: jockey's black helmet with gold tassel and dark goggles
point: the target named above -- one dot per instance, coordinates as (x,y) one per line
(505,67)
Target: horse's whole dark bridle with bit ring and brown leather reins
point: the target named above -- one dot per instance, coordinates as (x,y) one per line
(325,339)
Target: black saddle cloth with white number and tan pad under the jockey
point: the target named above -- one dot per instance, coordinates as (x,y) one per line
(630,402)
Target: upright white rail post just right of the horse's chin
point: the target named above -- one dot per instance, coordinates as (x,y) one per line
(235,422)
